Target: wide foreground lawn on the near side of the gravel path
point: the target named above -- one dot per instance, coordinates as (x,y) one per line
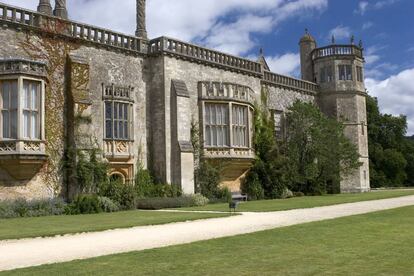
(373,244)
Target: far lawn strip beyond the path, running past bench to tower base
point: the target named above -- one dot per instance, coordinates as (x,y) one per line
(303,202)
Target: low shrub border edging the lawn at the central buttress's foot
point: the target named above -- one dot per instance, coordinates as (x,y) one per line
(169,202)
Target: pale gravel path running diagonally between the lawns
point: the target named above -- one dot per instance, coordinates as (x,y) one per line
(32,252)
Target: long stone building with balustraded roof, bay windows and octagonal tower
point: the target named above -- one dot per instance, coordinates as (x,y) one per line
(66,86)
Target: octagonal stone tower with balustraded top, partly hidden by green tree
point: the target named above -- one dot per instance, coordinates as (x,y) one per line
(339,71)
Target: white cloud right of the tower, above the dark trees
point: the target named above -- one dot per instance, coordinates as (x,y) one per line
(395,95)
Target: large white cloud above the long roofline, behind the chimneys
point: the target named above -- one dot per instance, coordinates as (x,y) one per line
(193,20)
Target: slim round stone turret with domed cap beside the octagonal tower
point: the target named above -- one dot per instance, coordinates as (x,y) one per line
(307,44)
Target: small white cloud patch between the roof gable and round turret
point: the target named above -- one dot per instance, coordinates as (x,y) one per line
(287,64)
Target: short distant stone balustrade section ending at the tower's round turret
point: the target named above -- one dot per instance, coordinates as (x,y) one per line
(289,82)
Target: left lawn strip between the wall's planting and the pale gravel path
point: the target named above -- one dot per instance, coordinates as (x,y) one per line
(57,225)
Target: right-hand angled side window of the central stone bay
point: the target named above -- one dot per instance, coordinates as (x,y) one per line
(240,126)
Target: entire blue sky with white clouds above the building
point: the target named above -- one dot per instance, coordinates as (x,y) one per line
(241,27)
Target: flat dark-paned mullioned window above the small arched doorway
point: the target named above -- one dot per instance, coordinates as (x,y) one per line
(117,120)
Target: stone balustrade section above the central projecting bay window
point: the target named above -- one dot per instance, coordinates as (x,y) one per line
(197,53)
